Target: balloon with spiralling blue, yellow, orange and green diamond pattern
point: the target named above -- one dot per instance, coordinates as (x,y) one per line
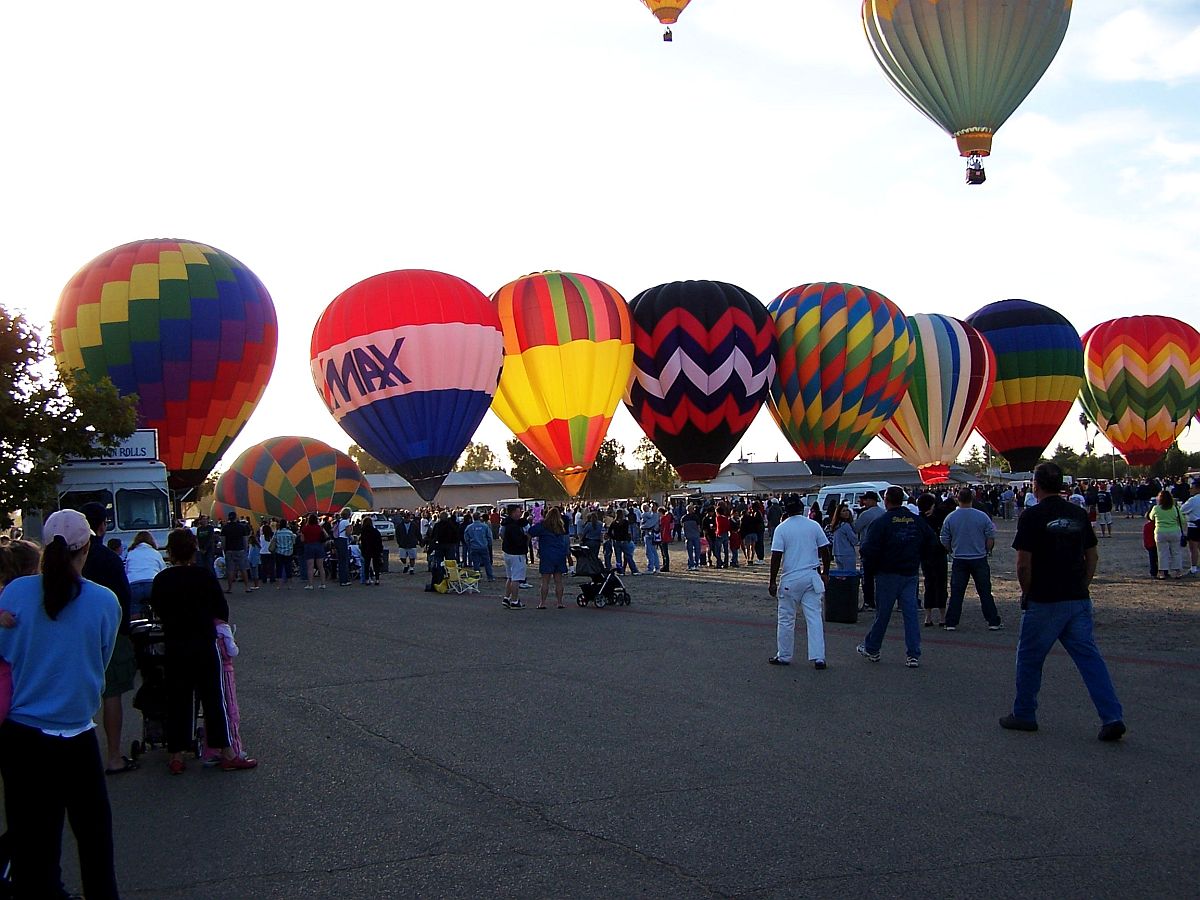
(845,361)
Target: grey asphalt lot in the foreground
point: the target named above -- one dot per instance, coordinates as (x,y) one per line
(418,745)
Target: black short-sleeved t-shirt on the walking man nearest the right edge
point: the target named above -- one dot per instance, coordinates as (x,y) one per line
(1057,535)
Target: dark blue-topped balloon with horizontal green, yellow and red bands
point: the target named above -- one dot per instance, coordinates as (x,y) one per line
(1040,370)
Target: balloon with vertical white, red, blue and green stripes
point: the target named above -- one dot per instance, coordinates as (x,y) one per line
(952,381)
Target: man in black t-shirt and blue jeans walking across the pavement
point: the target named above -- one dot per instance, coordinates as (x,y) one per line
(1055,563)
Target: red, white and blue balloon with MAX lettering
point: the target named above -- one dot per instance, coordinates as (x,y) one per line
(407,363)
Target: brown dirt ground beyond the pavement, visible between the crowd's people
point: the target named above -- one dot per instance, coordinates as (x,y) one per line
(1133,613)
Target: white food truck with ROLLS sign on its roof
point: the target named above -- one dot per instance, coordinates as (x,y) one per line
(130,481)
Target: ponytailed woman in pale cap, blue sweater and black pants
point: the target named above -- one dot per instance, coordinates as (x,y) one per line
(50,758)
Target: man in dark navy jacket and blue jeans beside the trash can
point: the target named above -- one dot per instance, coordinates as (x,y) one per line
(895,547)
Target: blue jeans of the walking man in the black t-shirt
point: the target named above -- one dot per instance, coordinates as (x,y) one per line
(1071,625)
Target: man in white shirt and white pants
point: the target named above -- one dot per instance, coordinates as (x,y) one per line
(800,566)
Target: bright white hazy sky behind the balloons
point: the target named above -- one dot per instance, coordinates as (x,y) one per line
(325,143)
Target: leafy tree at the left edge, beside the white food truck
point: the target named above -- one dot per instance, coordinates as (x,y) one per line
(45,417)
